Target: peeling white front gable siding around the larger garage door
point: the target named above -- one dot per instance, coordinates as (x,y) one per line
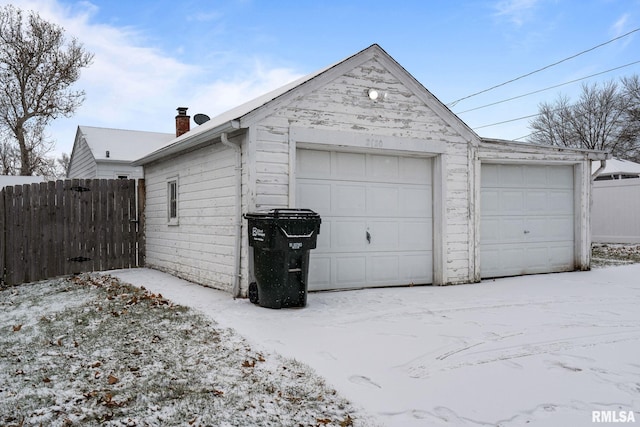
(342,105)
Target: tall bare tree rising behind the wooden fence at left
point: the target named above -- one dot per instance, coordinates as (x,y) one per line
(37,68)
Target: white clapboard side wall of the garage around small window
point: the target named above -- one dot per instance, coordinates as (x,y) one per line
(201,247)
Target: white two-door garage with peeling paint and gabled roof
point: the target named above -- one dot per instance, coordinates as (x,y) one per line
(407,192)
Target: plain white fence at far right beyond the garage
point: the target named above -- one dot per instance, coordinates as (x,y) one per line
(616,211)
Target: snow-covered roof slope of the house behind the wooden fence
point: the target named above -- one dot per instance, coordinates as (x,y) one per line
(123,145)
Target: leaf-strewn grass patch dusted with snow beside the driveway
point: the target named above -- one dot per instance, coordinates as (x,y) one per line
(91,350)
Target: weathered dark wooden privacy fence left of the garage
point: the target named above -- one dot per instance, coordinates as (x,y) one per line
(56,228)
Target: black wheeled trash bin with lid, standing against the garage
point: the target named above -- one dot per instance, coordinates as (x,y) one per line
(281,241)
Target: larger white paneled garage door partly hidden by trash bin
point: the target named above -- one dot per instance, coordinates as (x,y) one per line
(376,218)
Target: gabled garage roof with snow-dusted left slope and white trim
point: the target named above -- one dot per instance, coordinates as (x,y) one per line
(231,119)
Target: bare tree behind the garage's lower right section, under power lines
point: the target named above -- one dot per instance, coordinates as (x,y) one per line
(599,120)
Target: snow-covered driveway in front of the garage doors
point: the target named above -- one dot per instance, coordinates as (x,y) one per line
(540,350)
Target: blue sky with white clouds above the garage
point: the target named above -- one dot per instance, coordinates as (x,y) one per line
(152,56)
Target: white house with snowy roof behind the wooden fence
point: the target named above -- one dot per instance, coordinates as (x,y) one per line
(108,153)
